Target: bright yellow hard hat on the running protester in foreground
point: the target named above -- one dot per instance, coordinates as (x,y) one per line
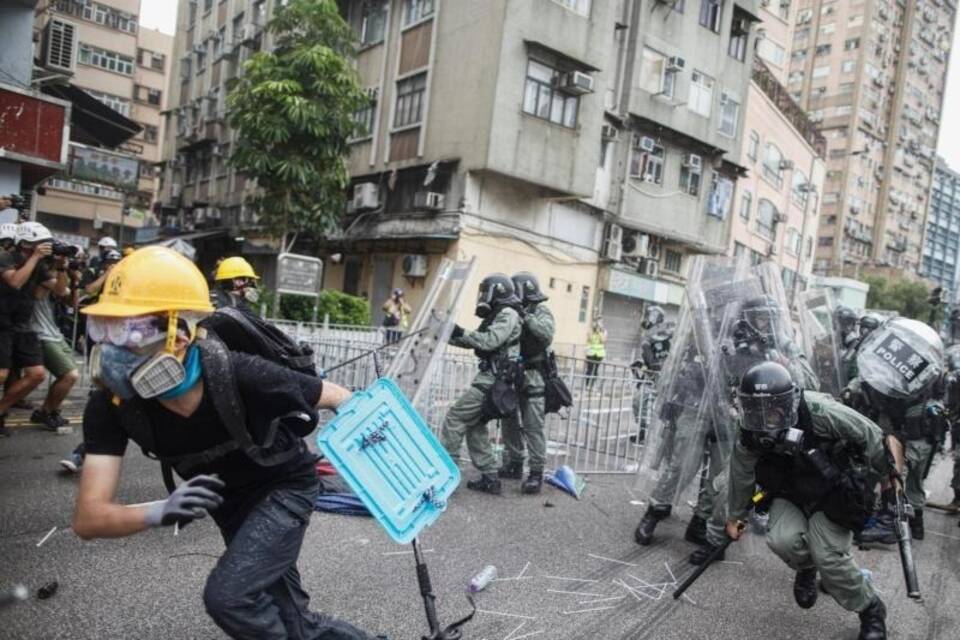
(152,280)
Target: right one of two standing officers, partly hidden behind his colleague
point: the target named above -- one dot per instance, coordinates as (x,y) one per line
(535,339)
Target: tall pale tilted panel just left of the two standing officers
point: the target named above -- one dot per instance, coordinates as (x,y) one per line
(415,367)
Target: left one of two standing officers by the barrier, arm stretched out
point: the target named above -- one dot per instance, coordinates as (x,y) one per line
(493,392)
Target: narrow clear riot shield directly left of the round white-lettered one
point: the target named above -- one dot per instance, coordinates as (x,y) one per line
(816,323)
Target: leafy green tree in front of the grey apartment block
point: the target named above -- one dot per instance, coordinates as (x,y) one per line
(292,108)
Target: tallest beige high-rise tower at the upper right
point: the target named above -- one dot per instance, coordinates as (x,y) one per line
(872,74)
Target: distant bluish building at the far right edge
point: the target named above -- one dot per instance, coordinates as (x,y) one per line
(941,243)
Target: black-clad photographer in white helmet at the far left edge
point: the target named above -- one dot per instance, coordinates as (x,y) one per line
(22,271)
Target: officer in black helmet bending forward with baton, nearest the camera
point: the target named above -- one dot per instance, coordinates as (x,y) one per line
(818,461)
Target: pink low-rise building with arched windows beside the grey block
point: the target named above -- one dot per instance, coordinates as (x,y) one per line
(778,203)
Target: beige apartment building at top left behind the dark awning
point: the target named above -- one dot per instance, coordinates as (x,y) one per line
(98,47)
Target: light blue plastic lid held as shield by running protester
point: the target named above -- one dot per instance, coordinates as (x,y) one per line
(385,451)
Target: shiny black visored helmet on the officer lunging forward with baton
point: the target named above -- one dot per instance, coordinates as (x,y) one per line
(768,397)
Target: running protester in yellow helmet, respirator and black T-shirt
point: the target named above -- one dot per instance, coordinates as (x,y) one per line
(204,411)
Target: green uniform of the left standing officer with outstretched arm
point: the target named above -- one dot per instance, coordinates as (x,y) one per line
(465,418)
